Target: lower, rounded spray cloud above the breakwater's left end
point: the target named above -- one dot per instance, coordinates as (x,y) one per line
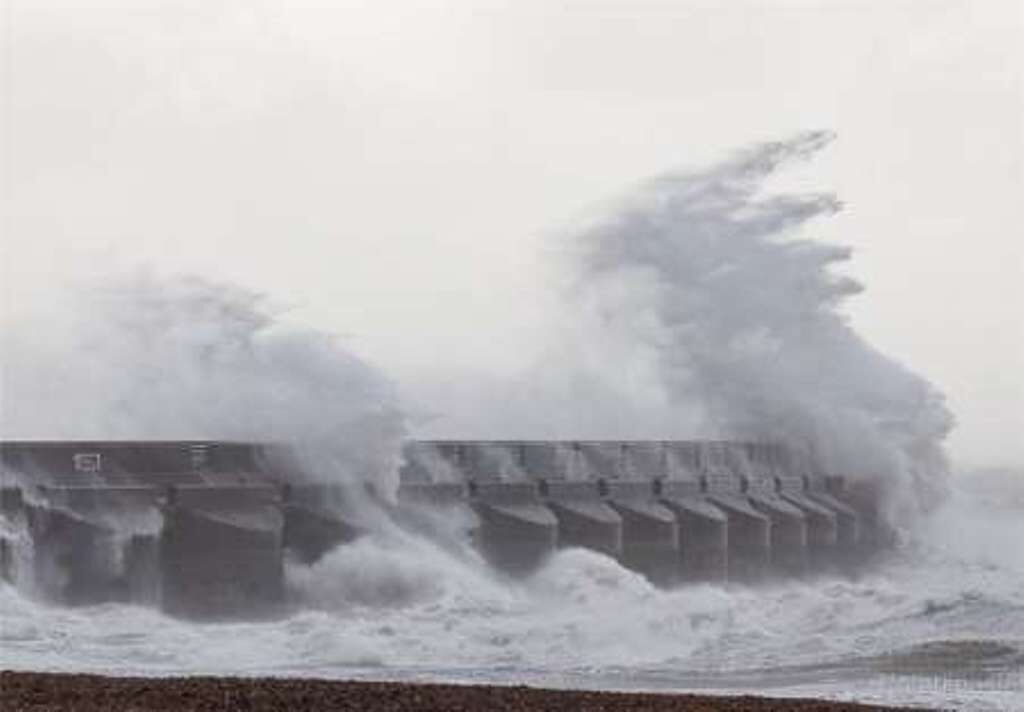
(147,357)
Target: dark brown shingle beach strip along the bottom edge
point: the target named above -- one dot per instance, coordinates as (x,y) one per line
(24,692)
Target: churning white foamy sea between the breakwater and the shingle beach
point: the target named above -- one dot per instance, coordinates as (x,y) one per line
(942,622)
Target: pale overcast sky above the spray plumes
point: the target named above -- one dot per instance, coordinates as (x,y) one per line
(404,170)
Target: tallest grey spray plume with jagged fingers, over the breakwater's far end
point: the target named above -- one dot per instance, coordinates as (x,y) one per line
(710,280)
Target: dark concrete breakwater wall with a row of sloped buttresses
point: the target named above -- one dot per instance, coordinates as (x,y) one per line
(204,529)
